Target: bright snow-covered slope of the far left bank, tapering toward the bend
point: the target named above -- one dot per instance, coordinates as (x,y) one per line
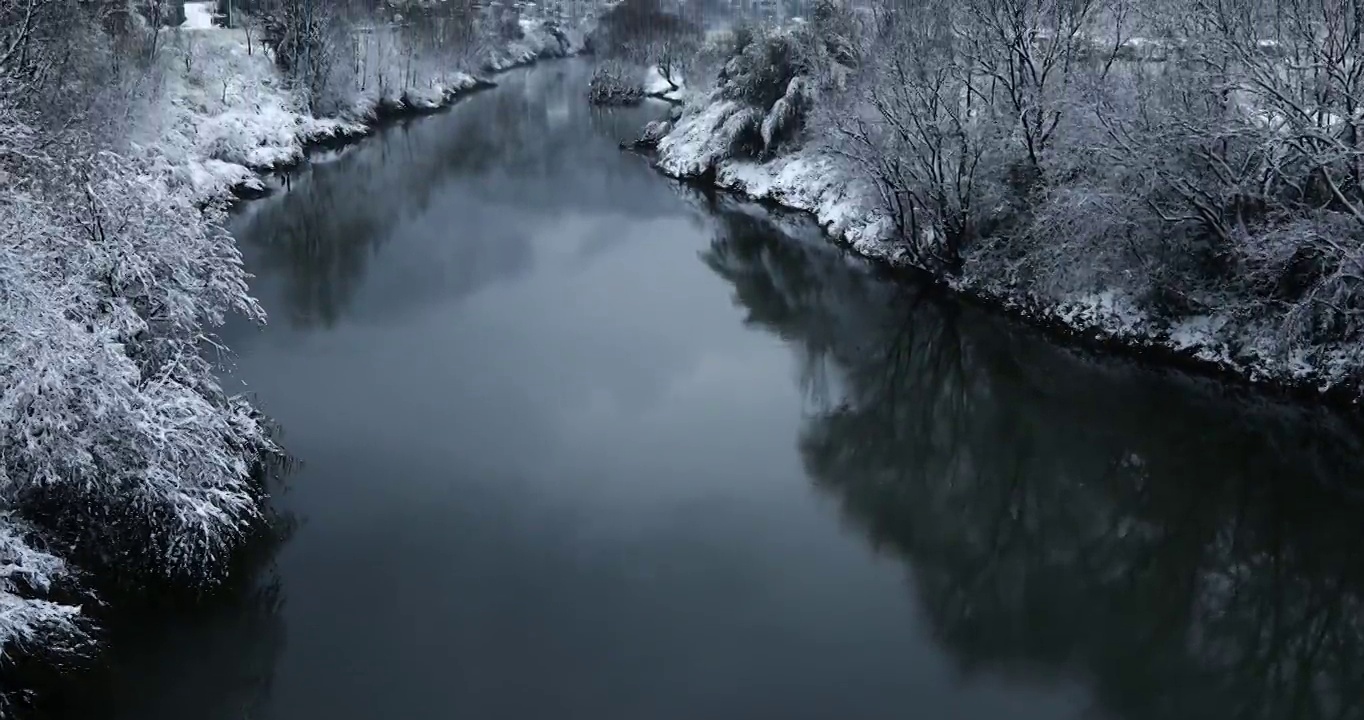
(227,115)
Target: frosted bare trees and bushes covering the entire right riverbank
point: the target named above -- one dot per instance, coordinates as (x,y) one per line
(1182,178)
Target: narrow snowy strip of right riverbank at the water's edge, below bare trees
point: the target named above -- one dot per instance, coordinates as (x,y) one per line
(848,207)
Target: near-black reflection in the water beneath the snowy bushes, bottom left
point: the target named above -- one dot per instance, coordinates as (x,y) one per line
(173,657)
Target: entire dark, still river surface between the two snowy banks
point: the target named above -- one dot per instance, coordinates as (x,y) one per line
(576,444)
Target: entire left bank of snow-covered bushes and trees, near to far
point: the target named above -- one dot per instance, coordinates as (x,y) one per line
(125,129)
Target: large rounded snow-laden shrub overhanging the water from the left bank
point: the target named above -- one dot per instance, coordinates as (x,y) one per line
(115,430)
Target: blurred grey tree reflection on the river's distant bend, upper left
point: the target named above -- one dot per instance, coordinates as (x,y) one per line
(533,144)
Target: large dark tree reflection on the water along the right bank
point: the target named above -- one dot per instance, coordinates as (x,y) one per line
(1182,553)
